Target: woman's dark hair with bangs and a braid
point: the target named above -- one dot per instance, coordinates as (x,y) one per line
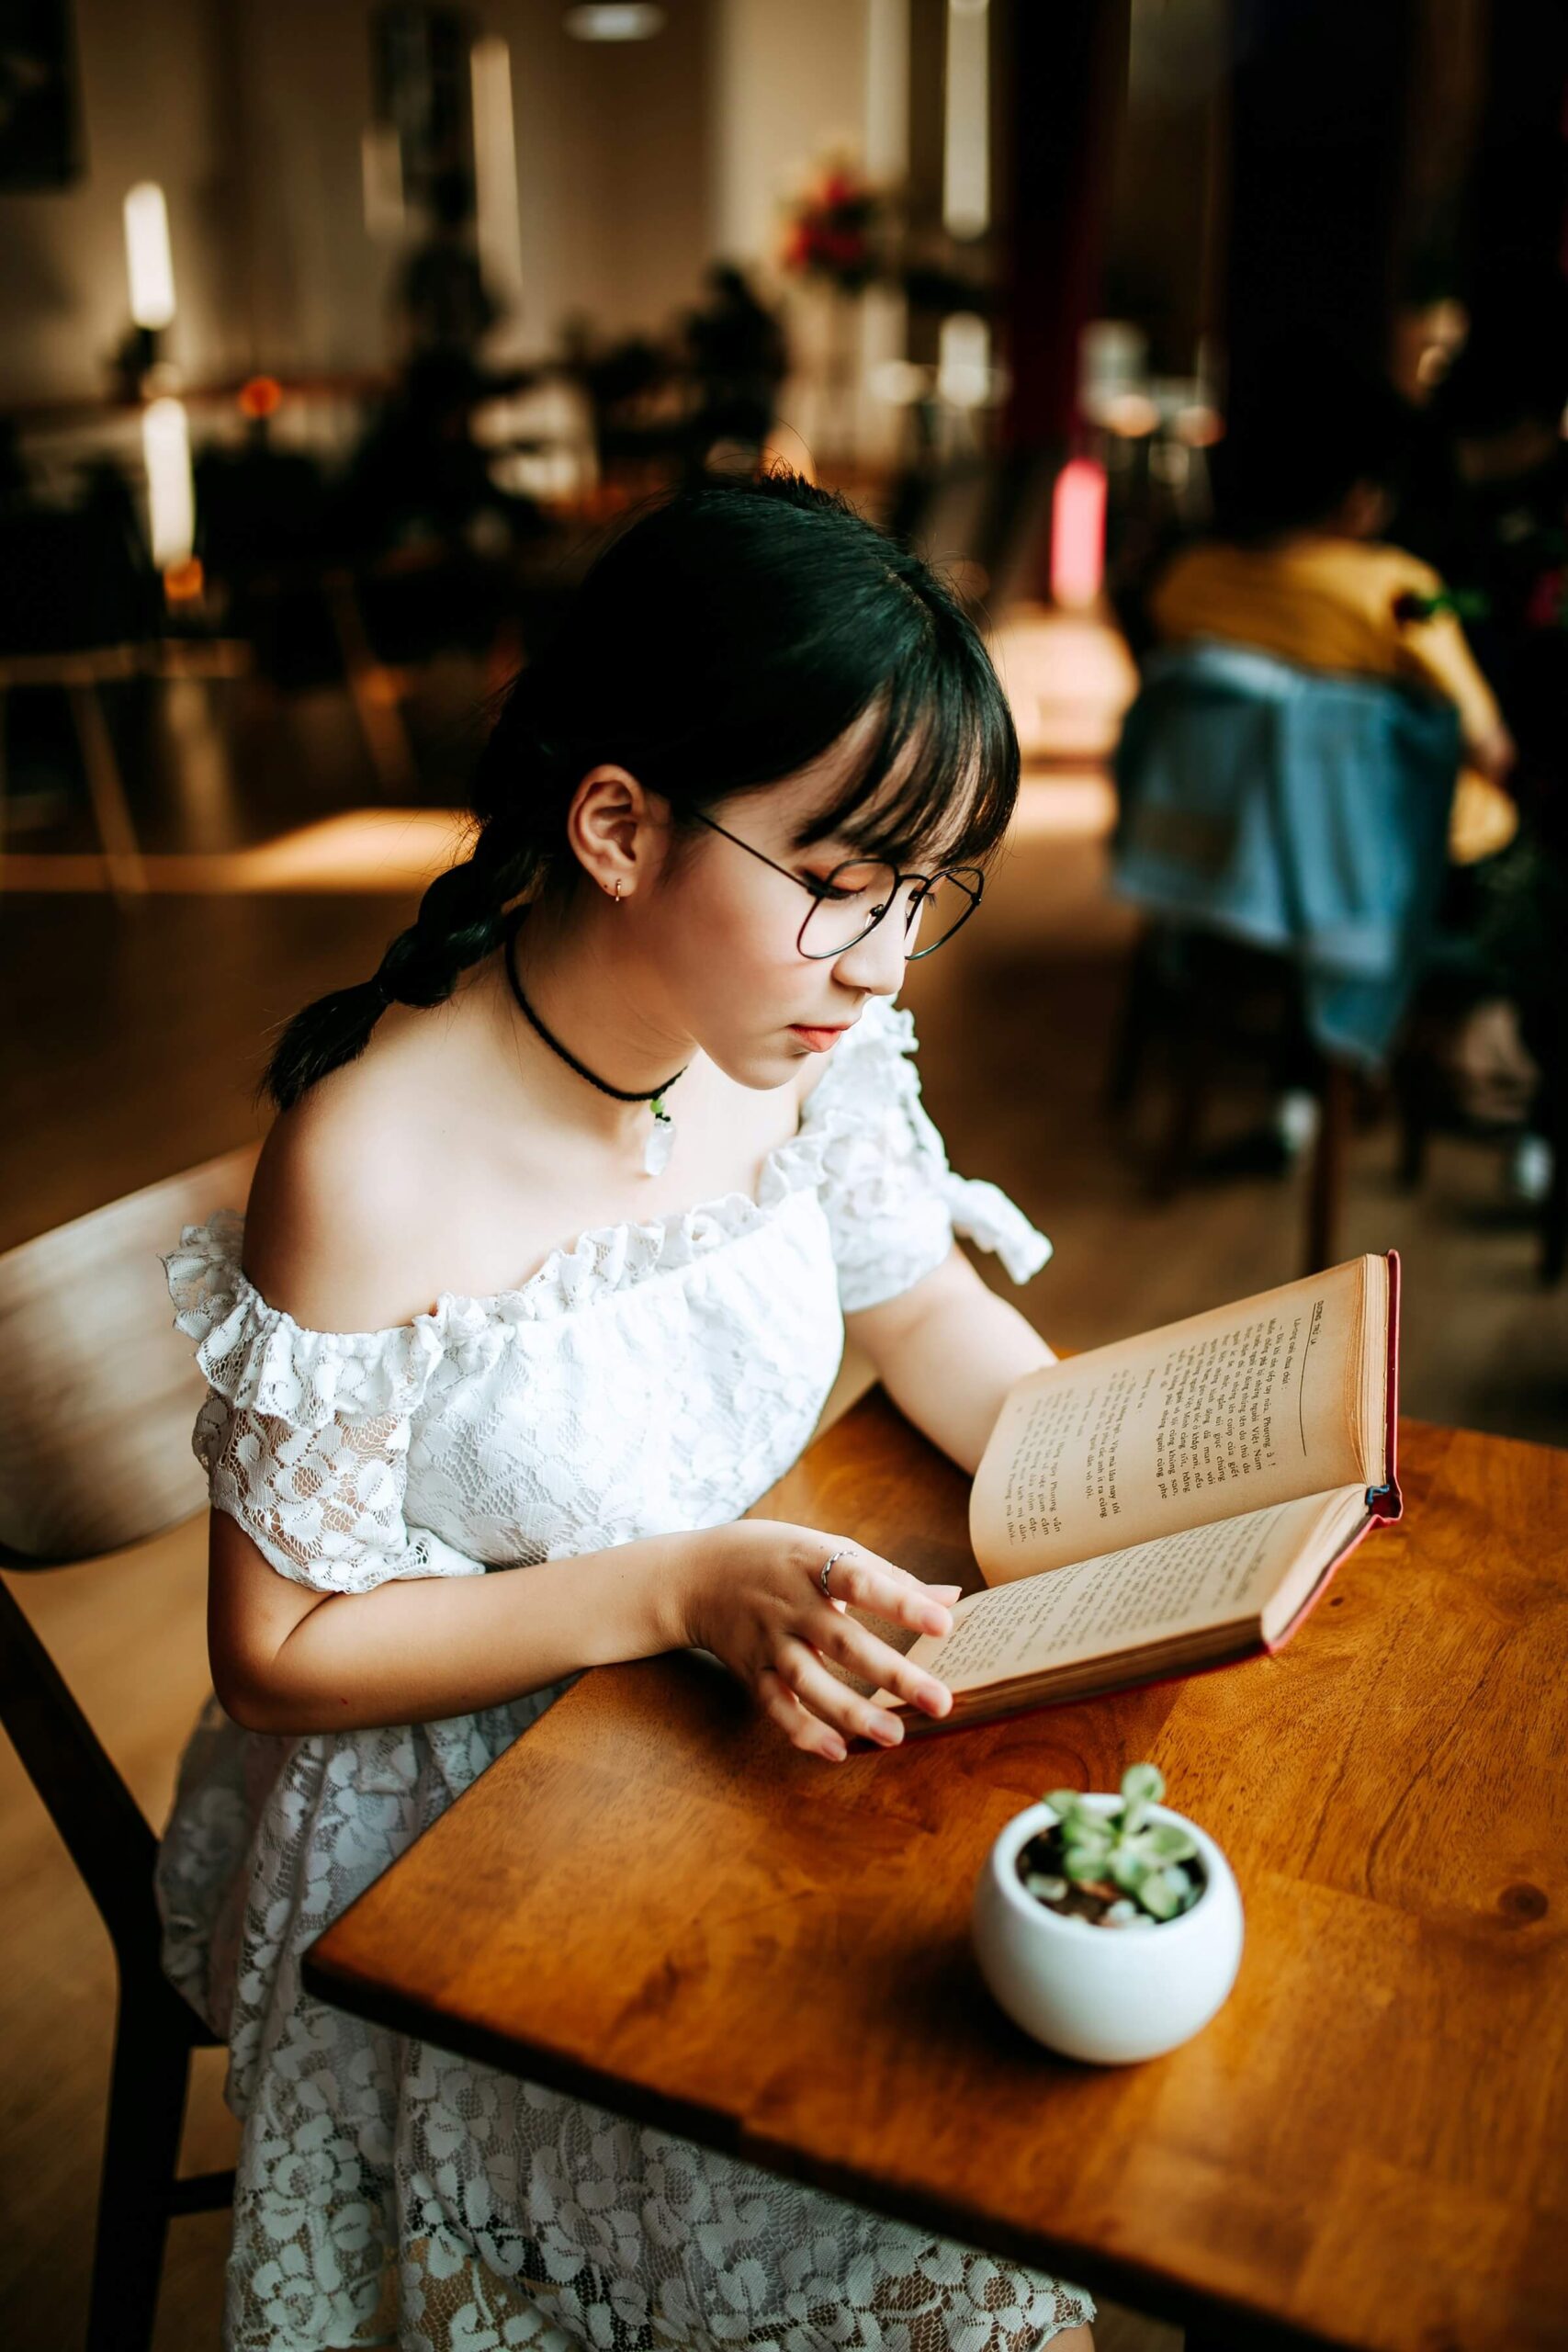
(723,641)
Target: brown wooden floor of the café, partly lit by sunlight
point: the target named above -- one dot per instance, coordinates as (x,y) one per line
(133,1045)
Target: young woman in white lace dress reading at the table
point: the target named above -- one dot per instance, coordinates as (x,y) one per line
(549,1267)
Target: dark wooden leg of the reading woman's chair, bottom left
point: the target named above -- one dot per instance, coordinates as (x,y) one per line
(147,2106)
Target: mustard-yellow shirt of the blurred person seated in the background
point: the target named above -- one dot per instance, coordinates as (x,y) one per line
(1329,606)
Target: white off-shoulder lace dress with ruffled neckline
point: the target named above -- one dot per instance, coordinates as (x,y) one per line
(650,1379)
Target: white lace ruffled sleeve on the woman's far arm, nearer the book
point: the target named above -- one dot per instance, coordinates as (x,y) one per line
(892,1198)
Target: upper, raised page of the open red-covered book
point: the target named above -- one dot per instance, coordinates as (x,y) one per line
(1221,1415)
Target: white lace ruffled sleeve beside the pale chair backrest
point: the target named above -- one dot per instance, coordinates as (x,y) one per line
(304,1436)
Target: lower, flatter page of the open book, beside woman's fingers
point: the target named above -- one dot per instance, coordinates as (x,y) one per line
(1139,1596)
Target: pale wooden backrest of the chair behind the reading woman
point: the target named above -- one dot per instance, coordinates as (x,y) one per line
(98,1389)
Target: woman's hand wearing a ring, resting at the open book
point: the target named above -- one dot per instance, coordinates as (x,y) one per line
(756,1601)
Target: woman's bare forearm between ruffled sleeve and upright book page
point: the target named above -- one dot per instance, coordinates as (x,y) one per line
(949,1351)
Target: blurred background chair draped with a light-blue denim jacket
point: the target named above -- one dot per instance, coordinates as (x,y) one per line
(1292,829)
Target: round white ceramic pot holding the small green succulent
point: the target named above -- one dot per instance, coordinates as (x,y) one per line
(1106,1993)
